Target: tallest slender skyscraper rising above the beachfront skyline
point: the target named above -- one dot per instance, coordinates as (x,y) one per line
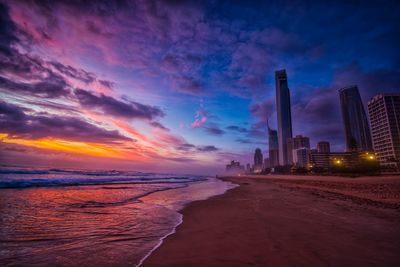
(284,115)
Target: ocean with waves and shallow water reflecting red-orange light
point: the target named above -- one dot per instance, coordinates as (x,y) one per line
(62,217)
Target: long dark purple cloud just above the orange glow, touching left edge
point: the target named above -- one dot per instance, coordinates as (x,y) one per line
(15,122)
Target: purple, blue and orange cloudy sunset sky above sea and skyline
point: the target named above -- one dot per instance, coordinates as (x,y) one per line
(181,86)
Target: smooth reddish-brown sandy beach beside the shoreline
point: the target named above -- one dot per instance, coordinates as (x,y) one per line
(290,221)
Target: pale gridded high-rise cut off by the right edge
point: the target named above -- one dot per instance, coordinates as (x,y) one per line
(384,114)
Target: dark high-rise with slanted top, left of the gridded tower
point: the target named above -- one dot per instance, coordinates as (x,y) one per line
(358,137)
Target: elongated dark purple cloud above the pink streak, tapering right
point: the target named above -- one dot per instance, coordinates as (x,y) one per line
(113,107)
